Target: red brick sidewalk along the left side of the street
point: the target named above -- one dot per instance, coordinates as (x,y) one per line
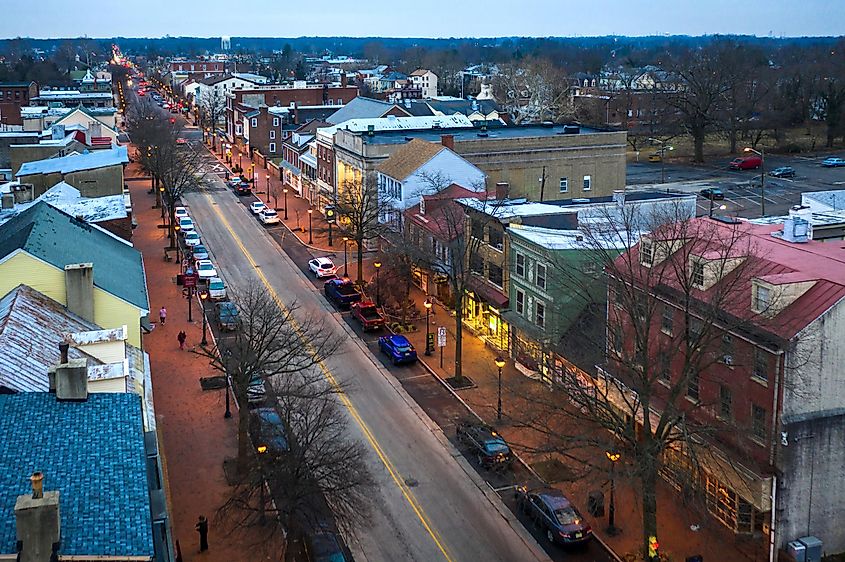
(195,437)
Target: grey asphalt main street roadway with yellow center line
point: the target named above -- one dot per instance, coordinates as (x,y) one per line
(429,504)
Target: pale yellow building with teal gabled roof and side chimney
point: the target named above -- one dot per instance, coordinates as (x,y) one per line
(95,274)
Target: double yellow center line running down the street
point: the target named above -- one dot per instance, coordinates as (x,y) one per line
(406,492)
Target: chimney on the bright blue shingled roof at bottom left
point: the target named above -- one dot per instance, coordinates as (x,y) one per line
(37,522)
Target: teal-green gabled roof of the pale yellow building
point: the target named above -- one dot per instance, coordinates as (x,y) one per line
(60,239)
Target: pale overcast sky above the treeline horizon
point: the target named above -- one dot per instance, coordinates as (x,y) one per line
(420,18)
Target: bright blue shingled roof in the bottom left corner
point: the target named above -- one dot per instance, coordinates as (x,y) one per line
(92,453)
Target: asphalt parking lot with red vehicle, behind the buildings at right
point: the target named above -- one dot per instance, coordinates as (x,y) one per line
(741,188)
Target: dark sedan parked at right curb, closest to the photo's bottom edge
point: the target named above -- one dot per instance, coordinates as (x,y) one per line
(552,511)
